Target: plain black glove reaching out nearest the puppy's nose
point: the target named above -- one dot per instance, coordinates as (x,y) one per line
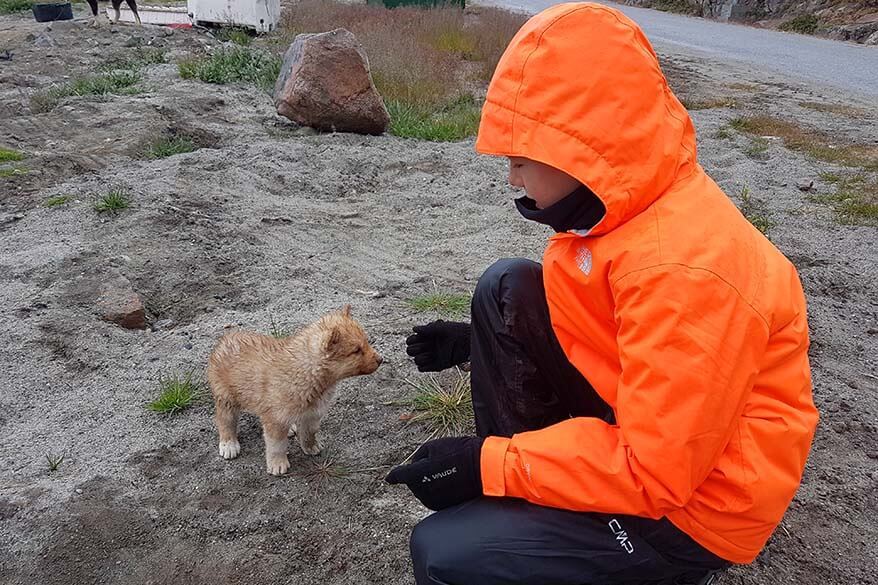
(439,345)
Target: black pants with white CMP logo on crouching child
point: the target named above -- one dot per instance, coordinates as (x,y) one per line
(521,380)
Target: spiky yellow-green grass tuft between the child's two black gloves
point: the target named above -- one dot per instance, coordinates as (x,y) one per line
(447,411)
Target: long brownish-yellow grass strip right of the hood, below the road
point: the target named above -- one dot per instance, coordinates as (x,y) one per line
(810,142)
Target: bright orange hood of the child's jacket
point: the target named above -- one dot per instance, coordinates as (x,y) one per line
(580,88)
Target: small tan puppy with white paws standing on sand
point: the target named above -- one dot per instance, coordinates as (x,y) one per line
(288,383)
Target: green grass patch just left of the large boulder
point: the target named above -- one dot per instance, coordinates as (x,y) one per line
(234,65)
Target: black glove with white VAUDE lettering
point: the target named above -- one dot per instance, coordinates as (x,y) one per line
(443,472)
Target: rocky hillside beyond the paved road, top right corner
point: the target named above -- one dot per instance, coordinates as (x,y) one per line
(849,20)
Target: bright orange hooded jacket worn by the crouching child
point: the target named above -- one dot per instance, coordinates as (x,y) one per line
(685,319)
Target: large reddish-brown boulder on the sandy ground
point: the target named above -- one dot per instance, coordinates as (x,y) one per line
(325,83)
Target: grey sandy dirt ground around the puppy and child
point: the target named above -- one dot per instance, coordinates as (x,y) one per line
(265,223)
